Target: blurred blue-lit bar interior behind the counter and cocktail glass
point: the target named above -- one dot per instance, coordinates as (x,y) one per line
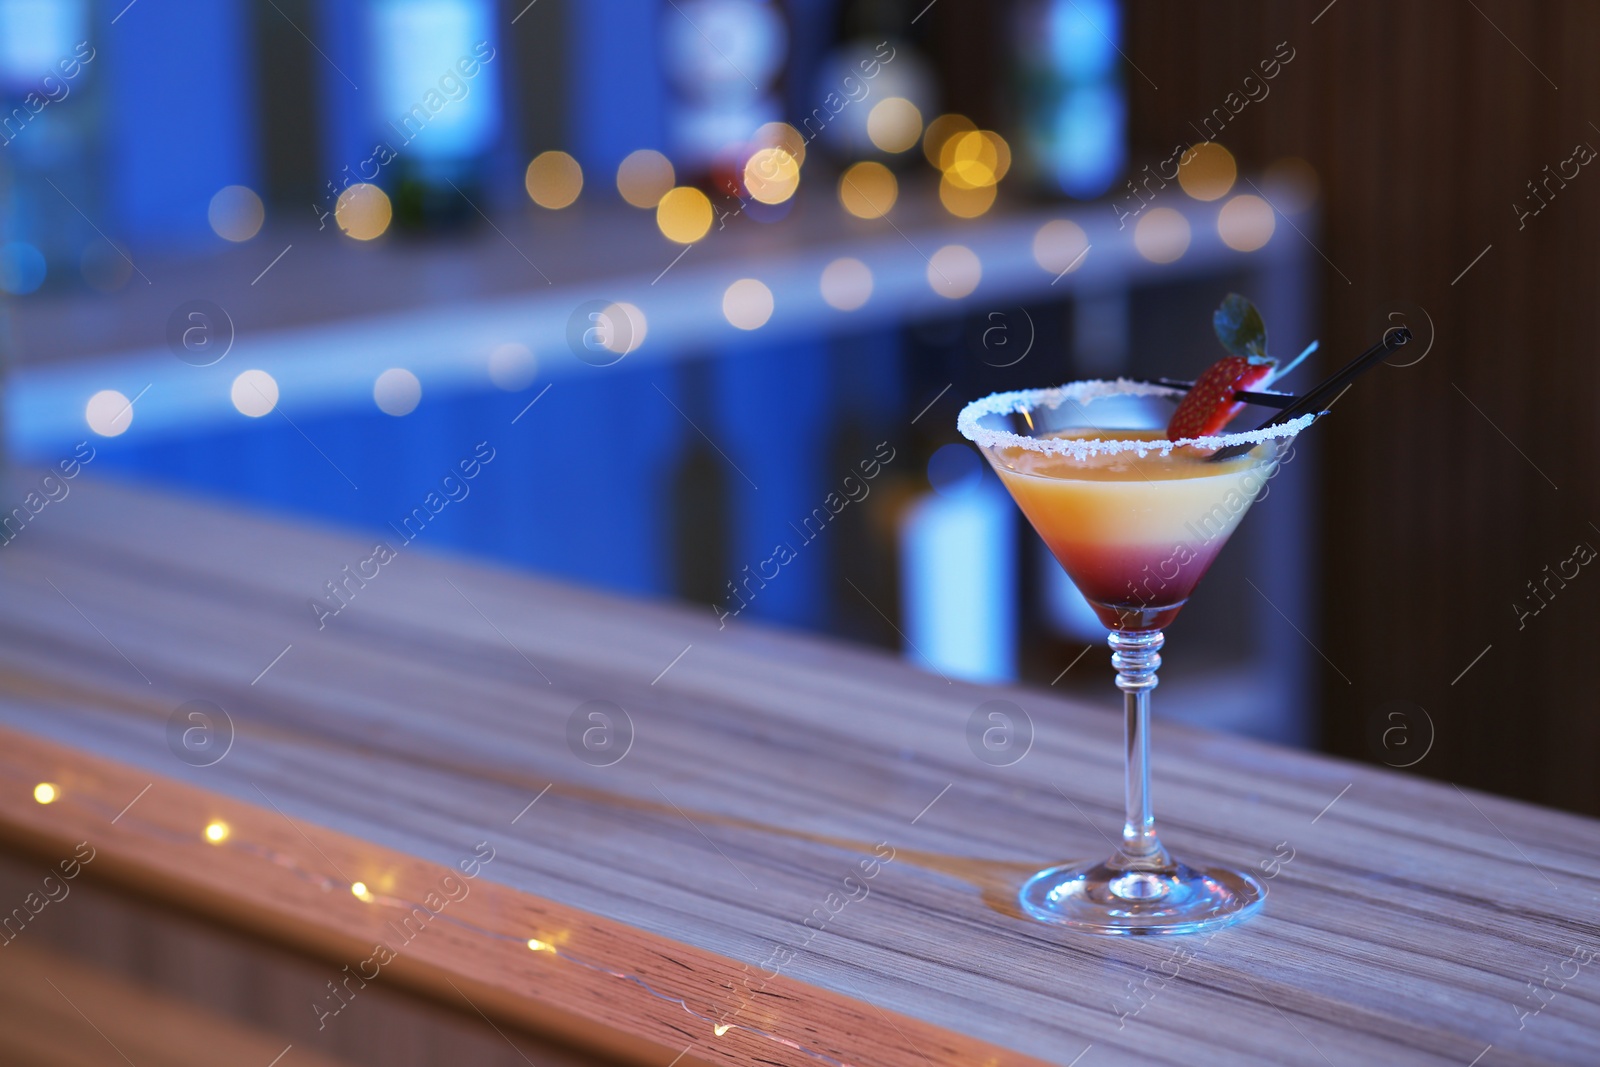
(697,290)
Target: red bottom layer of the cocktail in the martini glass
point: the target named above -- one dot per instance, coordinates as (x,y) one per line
(1135,588)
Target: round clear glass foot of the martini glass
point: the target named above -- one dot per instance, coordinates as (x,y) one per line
(1167,900)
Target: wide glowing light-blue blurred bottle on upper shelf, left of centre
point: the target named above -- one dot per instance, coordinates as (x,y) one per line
(438,106)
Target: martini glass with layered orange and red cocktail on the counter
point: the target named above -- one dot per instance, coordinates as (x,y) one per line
(1135,521)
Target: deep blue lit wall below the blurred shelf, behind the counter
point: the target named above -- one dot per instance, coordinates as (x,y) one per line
(582,484)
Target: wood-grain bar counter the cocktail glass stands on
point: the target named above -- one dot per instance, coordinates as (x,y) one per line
(609,831)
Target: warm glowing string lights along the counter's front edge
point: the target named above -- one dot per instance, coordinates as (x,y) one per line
(220,834)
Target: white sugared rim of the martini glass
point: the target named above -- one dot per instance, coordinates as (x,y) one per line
(1095,390)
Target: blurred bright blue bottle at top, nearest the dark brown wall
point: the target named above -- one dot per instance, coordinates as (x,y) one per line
(1073,103)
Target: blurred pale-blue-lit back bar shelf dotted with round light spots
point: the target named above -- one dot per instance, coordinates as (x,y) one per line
(332,314)
